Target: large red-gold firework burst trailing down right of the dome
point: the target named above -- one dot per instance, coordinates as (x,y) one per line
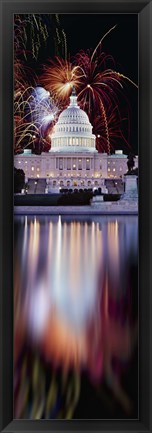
(101,93)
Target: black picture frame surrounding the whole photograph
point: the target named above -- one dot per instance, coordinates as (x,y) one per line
(144,10)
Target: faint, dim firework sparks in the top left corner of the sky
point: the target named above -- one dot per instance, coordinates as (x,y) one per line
(32,32)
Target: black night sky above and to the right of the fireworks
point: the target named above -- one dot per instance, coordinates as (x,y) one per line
(84,31)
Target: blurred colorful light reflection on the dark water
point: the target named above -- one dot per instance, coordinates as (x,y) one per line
(76,298)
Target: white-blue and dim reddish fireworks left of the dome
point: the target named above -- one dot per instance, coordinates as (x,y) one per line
(33,111)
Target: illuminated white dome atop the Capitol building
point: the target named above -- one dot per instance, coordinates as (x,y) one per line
(73,130)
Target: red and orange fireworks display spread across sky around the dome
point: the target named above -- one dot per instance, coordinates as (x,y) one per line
(99,85)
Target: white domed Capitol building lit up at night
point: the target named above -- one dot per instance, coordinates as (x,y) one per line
(73,161)
